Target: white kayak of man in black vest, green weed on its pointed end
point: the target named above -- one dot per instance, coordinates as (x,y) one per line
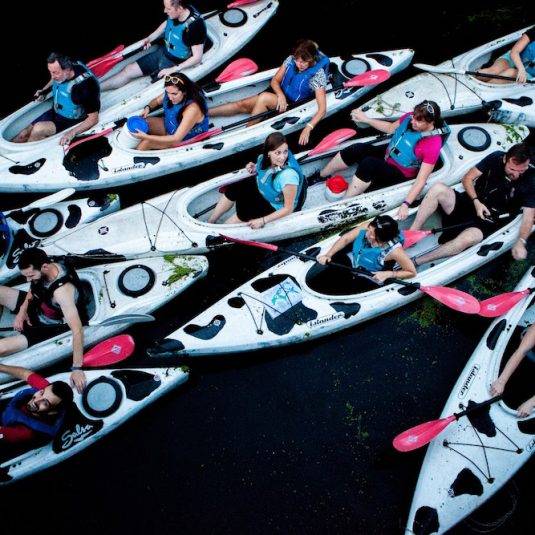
(127,289)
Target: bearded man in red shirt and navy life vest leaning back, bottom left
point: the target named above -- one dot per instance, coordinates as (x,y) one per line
(35,413)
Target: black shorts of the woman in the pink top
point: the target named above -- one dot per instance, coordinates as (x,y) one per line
(372,166)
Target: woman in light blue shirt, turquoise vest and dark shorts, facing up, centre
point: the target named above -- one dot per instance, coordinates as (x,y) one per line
(278,189)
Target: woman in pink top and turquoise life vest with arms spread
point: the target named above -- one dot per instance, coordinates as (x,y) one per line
(412,153)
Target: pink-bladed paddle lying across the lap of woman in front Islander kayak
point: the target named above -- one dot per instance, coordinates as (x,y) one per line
(451,297)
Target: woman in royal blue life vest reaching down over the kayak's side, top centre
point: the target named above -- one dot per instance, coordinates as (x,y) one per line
(303,76)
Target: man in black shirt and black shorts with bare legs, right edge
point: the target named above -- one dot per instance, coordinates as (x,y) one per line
(499,185)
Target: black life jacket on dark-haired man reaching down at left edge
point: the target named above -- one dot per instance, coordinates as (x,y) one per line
(42,295)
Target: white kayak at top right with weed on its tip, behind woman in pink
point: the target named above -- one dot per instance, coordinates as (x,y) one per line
(454,93)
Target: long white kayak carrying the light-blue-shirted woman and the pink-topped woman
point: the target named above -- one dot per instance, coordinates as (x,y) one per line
(177,221)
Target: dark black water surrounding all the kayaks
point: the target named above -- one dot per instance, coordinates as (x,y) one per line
(293,440)
